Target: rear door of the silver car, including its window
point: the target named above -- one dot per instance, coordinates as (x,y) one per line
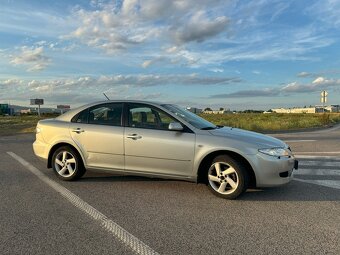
(98,132)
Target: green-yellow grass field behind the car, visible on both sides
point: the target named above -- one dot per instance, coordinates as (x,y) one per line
(11,125)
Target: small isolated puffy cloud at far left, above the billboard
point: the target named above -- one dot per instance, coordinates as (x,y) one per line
(33,59)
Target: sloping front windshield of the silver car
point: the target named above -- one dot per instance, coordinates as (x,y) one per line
(190,117)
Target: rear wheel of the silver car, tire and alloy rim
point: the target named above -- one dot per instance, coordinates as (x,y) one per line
(67,164)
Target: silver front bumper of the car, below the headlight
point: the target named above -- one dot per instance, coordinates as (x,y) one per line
(273,171)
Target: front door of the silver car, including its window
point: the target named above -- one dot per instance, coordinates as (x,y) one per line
(150,147)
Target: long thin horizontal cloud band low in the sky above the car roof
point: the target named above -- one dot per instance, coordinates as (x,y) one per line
(119,83)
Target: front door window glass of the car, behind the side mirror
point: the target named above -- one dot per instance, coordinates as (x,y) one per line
(144,116)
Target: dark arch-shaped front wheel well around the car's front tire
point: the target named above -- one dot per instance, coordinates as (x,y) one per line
(206,161)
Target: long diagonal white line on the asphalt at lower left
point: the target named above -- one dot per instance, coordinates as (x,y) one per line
(117,231)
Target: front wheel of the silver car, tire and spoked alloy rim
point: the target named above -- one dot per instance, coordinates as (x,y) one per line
(227,178)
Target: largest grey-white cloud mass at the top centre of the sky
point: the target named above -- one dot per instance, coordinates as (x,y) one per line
(115,27)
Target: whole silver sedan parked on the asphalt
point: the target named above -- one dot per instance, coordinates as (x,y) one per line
(164,141)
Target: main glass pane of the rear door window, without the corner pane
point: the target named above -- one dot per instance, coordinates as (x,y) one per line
(106,114)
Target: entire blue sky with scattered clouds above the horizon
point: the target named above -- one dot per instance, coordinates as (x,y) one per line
(234,54)
